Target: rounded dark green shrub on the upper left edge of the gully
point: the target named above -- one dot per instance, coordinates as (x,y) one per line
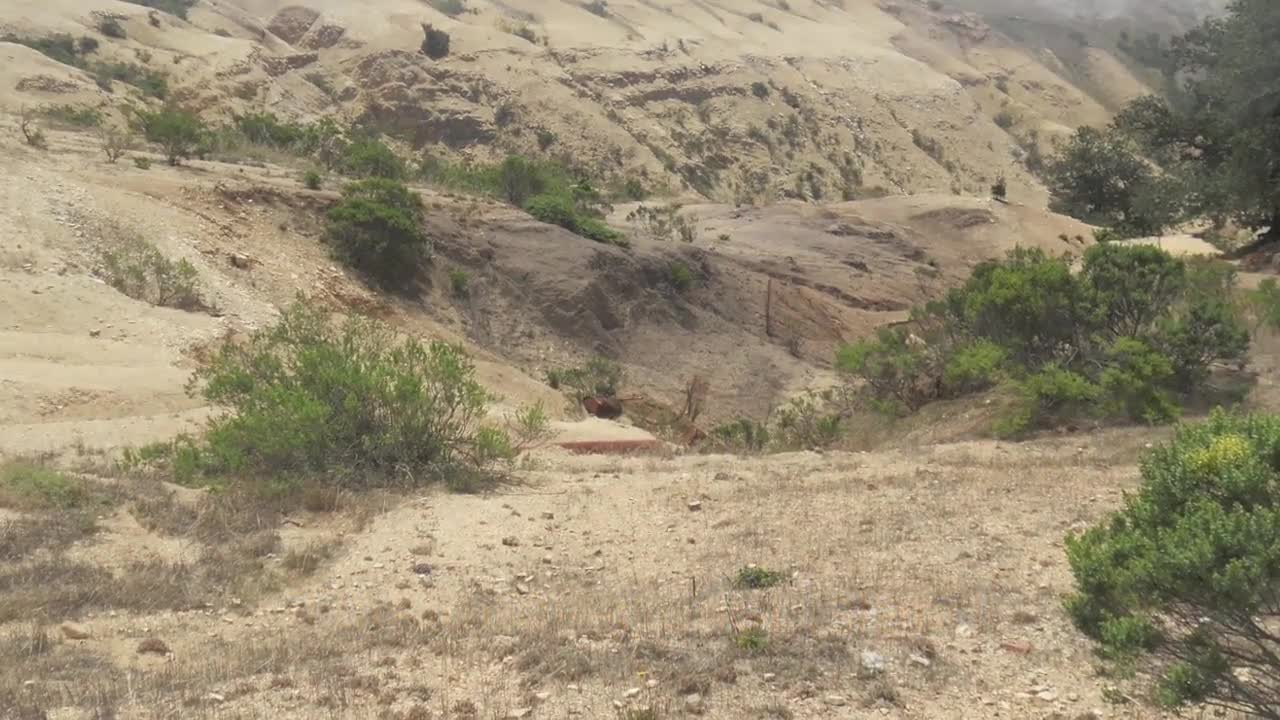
(376,230)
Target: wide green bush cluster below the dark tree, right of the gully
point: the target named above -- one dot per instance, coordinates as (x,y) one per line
(1130,335)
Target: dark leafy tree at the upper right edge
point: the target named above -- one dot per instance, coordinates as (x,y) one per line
(1215,136)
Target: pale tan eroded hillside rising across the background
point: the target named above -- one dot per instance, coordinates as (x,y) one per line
(732,101)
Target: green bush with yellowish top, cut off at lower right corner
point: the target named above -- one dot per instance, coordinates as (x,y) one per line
(1186,580)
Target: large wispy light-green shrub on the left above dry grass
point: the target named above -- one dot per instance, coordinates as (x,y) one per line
(350,404)
